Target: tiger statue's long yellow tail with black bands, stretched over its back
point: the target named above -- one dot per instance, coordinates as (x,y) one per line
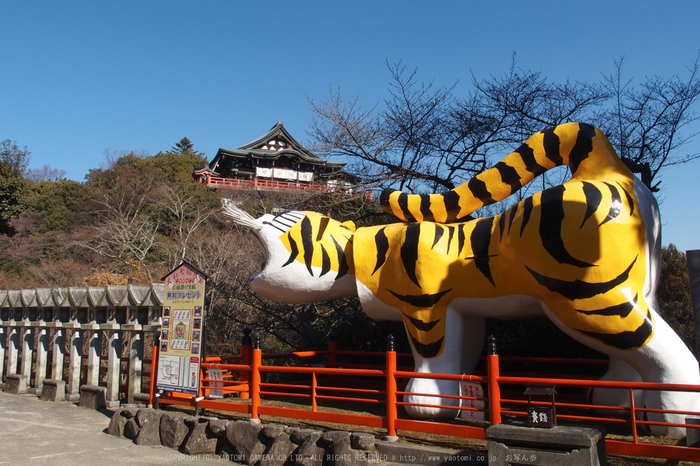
(582,147)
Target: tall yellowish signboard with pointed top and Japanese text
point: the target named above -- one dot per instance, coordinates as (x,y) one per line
(180,350)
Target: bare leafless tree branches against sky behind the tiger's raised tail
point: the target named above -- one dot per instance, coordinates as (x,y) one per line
(424,138)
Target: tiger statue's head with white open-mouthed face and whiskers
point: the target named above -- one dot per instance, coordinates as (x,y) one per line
(308,256)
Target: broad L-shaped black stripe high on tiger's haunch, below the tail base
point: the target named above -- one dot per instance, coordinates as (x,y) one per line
(552,202)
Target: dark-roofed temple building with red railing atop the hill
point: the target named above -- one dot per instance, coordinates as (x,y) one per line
(275,160)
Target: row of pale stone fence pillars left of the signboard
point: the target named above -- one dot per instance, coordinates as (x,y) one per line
(70,333)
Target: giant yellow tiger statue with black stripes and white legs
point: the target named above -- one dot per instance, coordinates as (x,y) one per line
(586,254)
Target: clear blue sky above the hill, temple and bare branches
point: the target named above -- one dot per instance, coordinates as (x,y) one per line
(82,78)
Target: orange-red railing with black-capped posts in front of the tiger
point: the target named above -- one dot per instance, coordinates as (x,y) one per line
(379,387)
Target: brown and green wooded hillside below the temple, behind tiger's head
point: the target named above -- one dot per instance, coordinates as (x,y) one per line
(138,217)
